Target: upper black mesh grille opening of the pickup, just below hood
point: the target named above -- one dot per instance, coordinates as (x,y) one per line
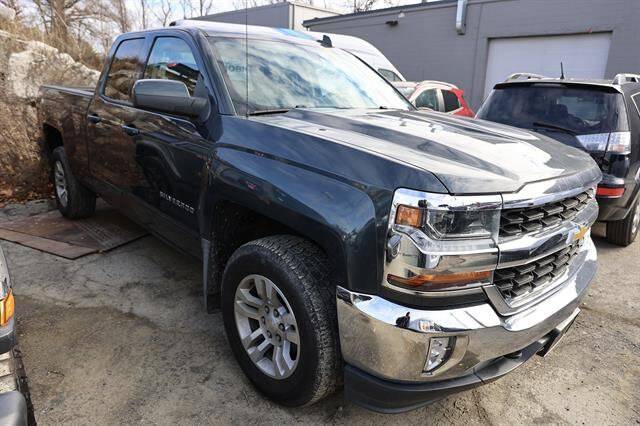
(521,221)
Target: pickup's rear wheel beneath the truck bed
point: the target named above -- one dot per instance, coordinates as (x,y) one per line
(73,199)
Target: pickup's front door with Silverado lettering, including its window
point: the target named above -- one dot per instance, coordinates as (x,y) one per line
(171,151)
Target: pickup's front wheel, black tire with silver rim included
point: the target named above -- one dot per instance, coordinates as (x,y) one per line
(301,275)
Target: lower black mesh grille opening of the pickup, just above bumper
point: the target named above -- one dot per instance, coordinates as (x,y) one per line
(519,280)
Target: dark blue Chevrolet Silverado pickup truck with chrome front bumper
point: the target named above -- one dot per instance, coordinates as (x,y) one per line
(348,238)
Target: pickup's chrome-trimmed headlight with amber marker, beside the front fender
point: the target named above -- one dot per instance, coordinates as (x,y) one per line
(441,242)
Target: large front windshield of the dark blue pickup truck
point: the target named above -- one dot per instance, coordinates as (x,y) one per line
(286,75)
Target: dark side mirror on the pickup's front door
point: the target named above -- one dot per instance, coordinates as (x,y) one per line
(167,96)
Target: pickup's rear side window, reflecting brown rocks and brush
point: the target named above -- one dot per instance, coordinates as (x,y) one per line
(122,72)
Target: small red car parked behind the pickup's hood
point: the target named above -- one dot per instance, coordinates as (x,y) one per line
(435,95)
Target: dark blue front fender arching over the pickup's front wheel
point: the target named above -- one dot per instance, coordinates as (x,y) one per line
(336,214)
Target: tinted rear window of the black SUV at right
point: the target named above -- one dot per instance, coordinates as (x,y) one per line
(575,110)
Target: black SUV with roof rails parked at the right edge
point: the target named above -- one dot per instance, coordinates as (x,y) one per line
(601,117)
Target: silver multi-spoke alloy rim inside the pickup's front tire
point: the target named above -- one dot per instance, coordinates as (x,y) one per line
(267,326)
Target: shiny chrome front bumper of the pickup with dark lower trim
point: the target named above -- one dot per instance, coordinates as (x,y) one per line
(385,344)
